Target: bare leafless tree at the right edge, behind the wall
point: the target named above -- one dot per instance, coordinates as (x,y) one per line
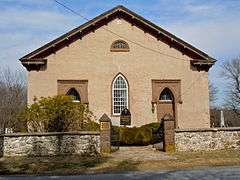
(231,72)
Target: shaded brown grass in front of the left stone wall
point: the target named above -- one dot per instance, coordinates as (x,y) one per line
(48,164)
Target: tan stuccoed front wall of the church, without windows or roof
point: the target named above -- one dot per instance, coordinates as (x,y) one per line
(89,58)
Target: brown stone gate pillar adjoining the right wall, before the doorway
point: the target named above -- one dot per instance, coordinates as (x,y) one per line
(168,133)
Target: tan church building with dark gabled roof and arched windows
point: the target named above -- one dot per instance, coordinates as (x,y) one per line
(121,60)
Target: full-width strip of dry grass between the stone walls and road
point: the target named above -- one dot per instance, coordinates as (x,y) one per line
(59,165)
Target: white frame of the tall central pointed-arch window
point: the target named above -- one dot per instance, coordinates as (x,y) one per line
(112,93)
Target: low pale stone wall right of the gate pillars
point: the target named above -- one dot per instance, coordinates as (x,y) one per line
(207,139)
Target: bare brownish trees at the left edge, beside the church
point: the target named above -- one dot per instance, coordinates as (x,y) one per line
(12,98)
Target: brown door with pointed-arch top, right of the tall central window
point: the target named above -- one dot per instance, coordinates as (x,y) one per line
(165,103)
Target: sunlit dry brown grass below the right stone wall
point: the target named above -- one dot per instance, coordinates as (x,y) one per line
(195,159)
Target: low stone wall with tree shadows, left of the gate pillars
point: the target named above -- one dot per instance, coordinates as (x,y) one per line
(41,144)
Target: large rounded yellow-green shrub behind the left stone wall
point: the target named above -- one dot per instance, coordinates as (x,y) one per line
(57,114)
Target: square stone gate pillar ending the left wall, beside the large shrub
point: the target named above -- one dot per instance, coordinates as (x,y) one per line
(105,134)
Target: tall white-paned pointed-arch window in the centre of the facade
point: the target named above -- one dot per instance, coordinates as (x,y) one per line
(119,94)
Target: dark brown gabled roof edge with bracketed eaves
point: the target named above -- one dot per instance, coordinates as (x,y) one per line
(103,19)
